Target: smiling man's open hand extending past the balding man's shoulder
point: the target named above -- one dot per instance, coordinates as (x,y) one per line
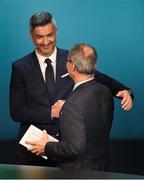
(126,99)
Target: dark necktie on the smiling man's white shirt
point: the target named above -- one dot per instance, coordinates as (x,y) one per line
(49,77)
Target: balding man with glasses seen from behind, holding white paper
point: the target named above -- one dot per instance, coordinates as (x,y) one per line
(85,119)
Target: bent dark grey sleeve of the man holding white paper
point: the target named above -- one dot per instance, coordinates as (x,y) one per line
(73,134)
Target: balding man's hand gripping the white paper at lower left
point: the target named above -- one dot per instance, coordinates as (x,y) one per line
(38,147)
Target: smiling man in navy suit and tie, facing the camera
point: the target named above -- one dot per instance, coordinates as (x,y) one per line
(30,100)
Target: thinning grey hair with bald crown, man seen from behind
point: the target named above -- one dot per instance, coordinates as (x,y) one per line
(84,61)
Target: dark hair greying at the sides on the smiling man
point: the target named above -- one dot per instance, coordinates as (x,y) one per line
(41,19)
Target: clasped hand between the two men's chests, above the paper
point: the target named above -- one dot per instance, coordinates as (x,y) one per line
(56,108)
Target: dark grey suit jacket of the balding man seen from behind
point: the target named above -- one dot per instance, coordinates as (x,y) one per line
(85,123)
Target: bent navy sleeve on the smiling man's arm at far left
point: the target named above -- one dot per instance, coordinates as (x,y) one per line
(20,109)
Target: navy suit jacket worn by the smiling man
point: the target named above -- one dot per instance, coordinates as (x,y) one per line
(29,99)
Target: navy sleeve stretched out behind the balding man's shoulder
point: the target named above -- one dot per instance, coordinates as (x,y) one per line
(111,83)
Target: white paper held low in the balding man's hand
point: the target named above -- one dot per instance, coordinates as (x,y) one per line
(33,134)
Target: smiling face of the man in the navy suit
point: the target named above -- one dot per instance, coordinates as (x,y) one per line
(44,39)
